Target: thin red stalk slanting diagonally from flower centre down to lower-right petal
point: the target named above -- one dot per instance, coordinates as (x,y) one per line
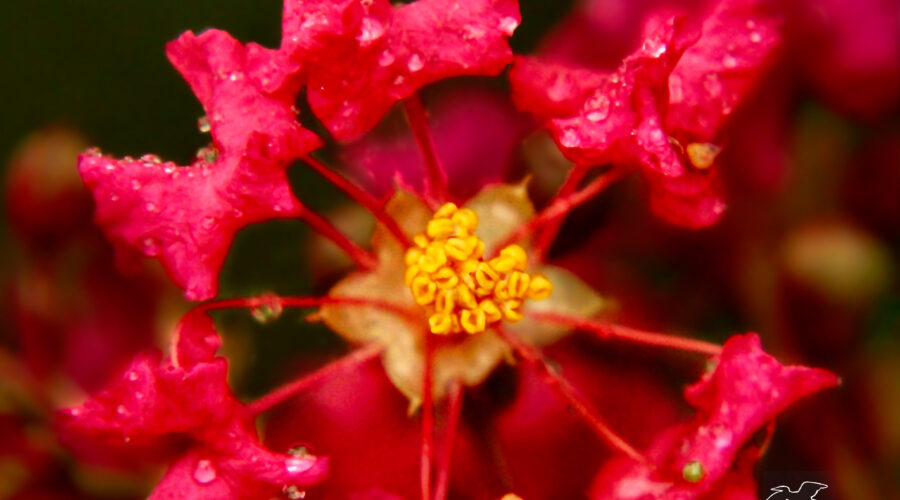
(571,395)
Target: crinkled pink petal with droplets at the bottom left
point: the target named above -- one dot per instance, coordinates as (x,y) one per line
(181,409)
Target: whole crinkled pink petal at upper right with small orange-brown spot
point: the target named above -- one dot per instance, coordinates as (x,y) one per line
(664,110)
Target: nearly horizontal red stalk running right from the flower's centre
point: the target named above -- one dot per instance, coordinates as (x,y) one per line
(609,330)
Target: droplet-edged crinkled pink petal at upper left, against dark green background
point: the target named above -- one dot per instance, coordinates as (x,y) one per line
(188,216)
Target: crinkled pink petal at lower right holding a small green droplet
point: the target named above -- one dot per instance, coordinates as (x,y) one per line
(747,389)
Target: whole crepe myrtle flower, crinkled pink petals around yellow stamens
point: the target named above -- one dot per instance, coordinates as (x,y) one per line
(452,288)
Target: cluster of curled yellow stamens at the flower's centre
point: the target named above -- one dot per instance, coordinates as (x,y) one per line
(463,293)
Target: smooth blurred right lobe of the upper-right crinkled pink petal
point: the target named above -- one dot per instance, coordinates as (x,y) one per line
(714,76)
